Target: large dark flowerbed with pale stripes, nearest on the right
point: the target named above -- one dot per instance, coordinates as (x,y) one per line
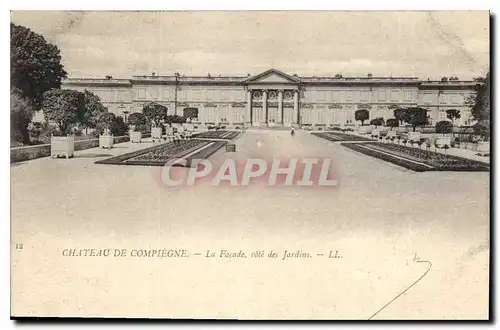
(417,159)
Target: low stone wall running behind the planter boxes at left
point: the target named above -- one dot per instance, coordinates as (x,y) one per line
(20,154)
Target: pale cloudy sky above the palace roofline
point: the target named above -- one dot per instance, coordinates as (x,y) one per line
(309,43)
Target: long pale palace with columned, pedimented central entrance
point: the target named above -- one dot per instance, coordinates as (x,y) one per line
(274,98)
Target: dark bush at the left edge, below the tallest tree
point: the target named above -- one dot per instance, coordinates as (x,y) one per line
(21,113)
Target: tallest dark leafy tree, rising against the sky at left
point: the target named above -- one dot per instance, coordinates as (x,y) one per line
(35,64)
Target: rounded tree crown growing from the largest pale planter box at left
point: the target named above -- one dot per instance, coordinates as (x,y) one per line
(63,107)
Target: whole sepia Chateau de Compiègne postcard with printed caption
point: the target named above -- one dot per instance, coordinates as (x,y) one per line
(250,165)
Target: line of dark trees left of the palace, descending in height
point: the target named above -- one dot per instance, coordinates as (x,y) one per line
(36,76)
